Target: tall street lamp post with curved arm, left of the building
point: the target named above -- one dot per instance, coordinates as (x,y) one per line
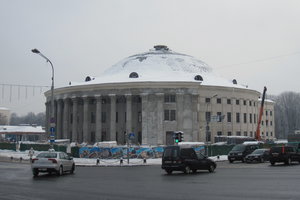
(52,120)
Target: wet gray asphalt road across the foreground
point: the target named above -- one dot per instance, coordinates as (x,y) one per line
(229,182)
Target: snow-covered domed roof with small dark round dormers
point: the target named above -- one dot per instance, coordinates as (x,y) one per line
(160,64)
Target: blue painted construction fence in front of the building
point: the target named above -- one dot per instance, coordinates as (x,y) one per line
(124,152)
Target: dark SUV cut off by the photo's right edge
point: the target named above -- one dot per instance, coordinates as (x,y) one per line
(286,154)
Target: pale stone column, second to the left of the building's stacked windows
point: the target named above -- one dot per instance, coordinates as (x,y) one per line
(144,118)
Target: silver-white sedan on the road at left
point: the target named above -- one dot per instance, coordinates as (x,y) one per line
(52,161)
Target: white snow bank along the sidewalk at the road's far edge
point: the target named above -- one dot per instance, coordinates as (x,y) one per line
(93,161)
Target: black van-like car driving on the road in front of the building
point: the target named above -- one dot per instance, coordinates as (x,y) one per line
(176,158)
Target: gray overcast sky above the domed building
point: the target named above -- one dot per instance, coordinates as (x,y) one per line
(86,37)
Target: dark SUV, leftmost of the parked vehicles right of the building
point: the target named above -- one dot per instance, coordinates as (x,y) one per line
(240,151)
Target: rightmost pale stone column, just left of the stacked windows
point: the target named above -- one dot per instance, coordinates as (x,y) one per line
(160,119)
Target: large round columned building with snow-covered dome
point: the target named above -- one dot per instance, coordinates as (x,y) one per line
(150,95)
